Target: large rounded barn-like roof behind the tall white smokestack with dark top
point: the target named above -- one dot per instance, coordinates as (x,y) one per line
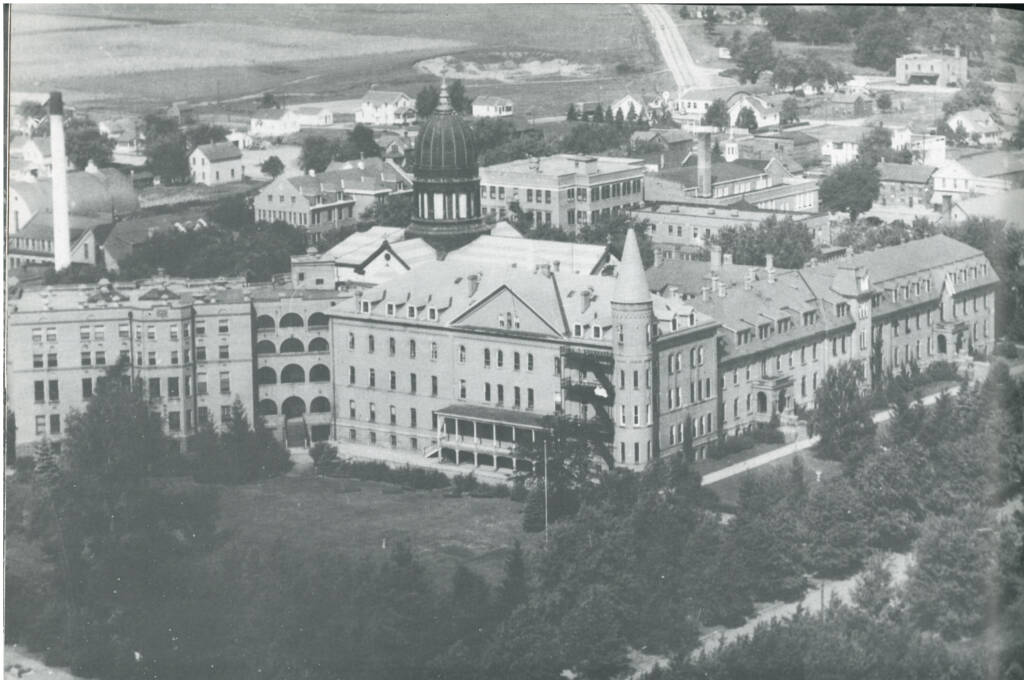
(90,192)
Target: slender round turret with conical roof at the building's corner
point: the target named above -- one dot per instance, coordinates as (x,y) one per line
(633,317)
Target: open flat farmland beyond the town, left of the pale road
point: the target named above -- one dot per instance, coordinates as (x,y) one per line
(140,57)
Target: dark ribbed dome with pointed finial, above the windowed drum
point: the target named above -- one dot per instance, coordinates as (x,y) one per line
(445,146)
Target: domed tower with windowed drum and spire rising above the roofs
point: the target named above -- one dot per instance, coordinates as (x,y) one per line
(447,185)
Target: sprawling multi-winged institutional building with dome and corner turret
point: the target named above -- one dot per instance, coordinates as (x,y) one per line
(453,341)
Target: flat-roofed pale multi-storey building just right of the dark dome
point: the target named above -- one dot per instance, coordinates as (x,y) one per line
(562,191)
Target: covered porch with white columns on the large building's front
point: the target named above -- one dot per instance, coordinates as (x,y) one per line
(485,437)
